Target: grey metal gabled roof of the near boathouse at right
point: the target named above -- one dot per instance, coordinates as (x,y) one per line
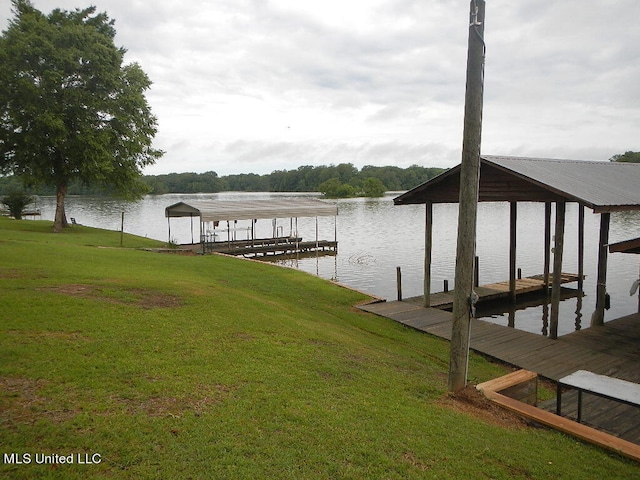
(601,186)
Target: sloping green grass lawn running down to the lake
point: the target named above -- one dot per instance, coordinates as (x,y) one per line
(171,366)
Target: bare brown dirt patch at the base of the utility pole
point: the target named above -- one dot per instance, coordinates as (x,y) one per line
(471,401)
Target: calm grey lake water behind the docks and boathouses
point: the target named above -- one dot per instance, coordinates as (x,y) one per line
(375,237)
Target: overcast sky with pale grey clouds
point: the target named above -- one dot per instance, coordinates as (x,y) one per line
(253,86)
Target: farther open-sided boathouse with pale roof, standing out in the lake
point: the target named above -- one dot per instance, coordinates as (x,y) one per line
(219,231)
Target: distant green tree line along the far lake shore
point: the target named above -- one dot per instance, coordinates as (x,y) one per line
(341,180)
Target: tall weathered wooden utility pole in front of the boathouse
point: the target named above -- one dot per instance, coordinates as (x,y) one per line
(463,301)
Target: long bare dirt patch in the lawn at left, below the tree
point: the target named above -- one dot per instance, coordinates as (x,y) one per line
(145,298)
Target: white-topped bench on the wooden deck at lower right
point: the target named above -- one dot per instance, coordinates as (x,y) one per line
(600,385)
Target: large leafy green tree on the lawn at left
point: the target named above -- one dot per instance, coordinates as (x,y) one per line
(70,109)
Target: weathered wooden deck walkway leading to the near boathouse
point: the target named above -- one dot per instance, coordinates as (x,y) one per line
(609,350)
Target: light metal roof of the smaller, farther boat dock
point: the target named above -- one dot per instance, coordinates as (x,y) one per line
(215,211)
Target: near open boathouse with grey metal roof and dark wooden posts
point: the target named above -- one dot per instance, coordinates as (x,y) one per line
(604,187)
